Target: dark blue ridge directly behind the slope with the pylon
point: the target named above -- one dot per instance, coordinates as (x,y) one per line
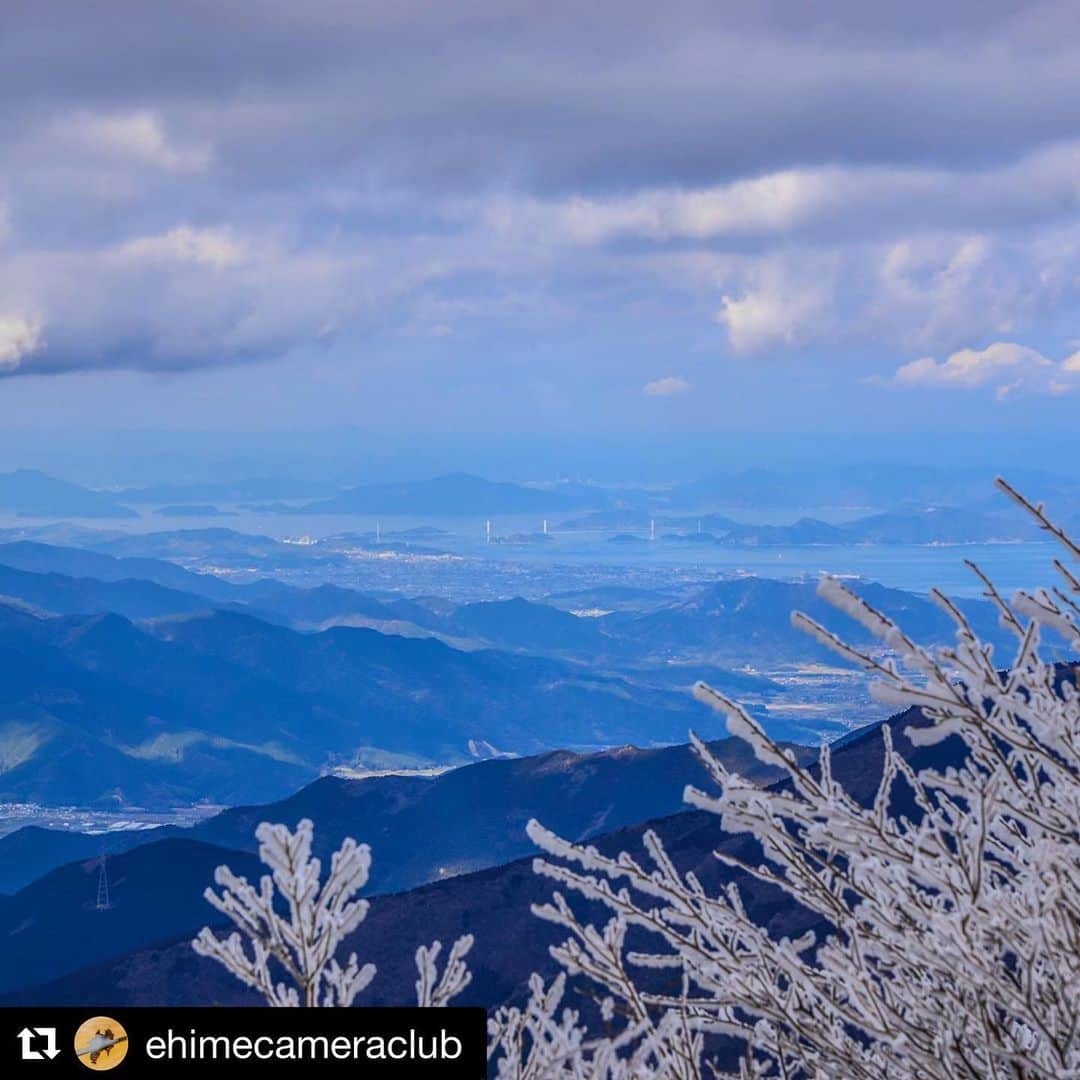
(426,828)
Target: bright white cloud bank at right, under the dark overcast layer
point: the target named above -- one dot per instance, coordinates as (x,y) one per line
(902,259)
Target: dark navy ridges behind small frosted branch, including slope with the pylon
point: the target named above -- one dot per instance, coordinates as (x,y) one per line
(422,830)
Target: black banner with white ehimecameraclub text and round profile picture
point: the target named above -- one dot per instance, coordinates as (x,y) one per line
(259,1043)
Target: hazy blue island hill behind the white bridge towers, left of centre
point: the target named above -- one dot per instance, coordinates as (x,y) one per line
(453,495)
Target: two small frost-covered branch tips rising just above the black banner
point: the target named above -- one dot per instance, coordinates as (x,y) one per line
(320,916)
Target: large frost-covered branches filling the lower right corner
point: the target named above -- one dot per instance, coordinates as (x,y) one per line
(948,907)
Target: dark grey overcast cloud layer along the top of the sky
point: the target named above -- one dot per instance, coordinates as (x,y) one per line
(600,97)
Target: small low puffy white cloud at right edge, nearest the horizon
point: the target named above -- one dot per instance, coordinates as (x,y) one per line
(1005,367)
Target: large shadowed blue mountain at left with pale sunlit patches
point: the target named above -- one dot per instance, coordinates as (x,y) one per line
(228,708)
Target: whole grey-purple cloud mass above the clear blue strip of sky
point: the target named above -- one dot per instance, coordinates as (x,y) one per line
(198,183)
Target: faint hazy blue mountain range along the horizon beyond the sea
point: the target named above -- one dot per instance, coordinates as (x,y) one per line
(875,488)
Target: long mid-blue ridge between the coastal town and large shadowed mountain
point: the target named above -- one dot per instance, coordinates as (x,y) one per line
(730,624)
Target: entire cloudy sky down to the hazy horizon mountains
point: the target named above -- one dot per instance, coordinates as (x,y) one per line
(493,219)
